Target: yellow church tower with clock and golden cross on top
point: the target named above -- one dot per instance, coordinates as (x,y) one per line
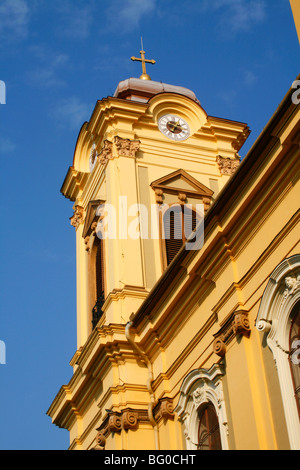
(149,157)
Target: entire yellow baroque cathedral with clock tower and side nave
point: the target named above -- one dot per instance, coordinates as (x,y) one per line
(188,277)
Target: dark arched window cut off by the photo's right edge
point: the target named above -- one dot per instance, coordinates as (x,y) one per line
(295,356)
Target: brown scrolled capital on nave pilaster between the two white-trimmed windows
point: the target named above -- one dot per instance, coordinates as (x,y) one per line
(237,324)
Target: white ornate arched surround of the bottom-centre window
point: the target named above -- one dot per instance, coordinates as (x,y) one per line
(200,387)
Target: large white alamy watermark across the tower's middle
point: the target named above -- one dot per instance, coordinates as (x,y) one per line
(160,222)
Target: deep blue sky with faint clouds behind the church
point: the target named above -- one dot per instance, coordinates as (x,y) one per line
(57,58)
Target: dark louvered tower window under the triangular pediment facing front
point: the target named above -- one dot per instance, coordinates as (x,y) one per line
(179,222)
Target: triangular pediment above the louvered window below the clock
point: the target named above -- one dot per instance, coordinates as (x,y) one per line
(181,181)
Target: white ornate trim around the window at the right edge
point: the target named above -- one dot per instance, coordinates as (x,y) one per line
(274,318)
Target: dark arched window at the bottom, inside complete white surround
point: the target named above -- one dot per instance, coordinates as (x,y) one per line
(209,437)
